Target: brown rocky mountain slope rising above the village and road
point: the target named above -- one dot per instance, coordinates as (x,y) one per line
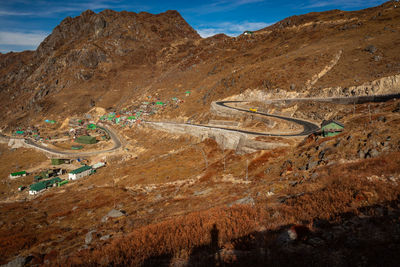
(112,58)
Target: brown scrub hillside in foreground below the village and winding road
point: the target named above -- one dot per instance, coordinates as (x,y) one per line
(170,215)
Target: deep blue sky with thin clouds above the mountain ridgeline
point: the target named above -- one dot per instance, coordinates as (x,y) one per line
(25,23)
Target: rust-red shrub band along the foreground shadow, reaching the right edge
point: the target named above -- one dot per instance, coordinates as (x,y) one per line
(342,190)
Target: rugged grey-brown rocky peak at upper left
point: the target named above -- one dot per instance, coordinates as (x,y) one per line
(80,48)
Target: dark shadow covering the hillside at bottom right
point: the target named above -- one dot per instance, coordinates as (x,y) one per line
(369,238)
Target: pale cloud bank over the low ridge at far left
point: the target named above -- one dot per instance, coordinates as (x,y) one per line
(22,38)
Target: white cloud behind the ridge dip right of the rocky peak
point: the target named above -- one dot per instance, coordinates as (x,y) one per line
(231,29)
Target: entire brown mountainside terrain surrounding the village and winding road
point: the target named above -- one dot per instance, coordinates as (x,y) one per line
(185,201)
